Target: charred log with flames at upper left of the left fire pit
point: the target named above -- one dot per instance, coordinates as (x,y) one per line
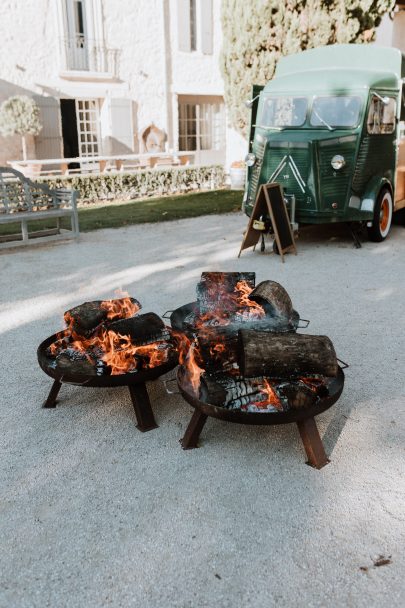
(83,319)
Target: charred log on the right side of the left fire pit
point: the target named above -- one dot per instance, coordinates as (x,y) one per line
(143,329)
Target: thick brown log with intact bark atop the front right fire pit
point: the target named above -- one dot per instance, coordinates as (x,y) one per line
(285,355)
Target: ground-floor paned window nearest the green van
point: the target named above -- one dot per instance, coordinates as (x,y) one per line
(201,123)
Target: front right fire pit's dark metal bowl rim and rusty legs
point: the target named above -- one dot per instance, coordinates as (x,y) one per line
(304,417)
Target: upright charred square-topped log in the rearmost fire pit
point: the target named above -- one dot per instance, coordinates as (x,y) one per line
(213,288)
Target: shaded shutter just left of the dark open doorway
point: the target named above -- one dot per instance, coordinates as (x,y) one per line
(48,144)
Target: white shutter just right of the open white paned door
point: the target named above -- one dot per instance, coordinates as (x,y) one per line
(117,126)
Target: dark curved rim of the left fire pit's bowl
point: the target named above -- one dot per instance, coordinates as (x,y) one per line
(100,381)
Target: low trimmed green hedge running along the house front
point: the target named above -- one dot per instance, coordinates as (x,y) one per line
(151,182)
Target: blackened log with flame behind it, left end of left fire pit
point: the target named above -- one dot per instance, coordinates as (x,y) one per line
(83,319)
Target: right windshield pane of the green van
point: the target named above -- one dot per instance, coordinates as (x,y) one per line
(336,111)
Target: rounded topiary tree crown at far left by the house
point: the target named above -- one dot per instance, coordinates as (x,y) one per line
(19,115)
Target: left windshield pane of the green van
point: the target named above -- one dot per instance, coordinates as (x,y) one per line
(284,111)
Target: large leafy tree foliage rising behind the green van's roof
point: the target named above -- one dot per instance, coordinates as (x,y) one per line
(257,33)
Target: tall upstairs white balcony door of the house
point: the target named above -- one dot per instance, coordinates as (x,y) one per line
(77,46)
